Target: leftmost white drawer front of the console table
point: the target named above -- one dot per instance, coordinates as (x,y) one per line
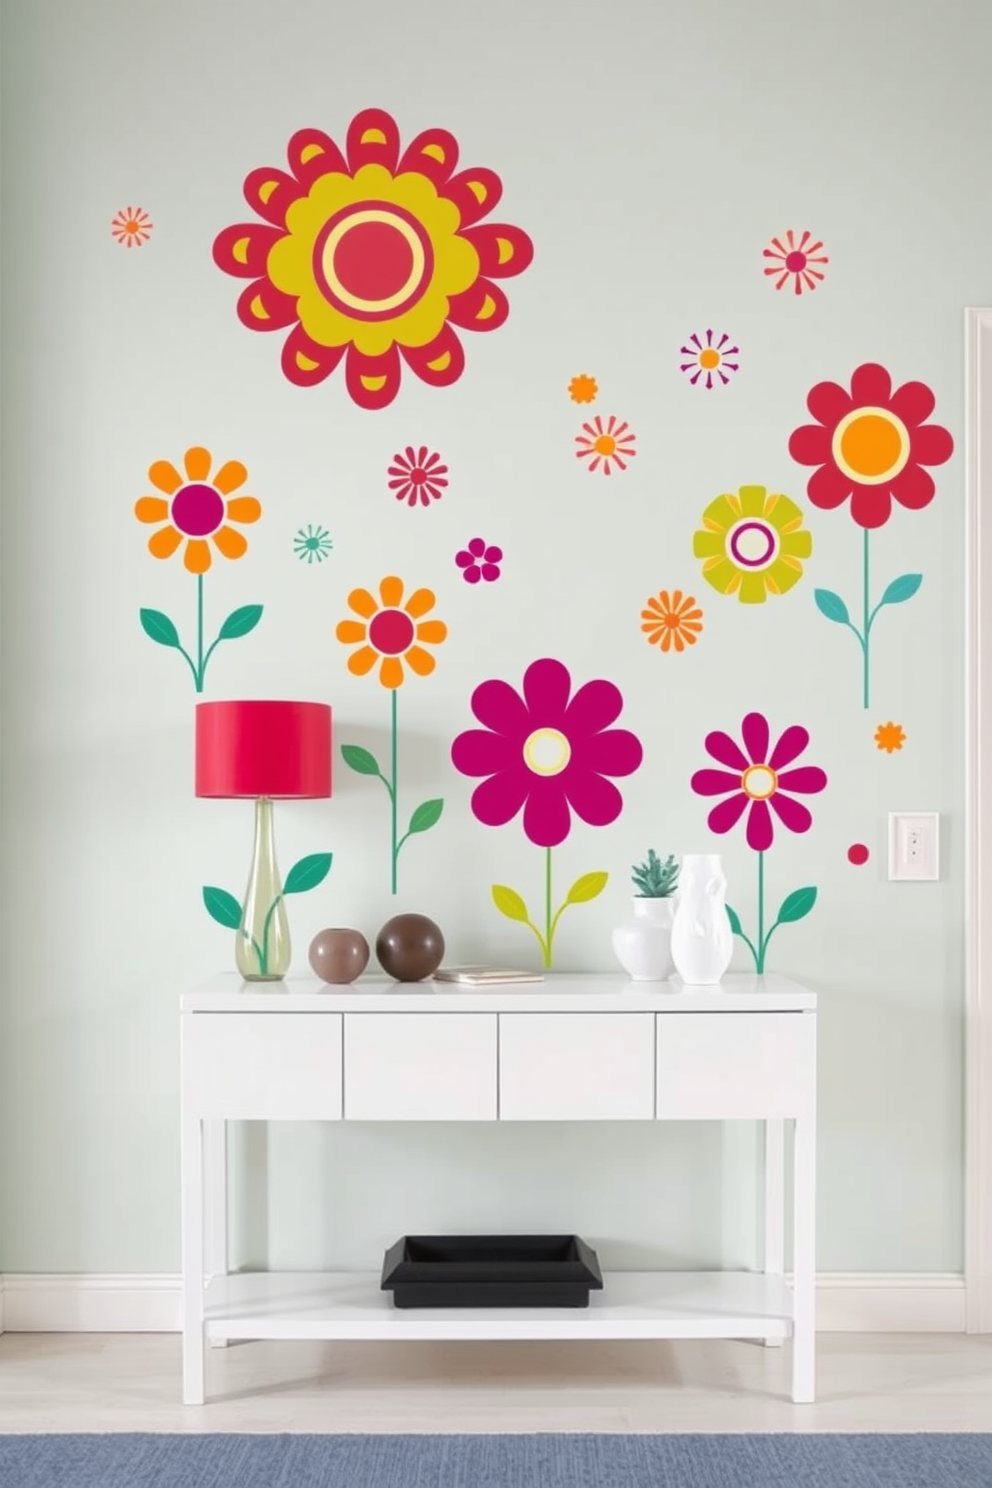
(264,1068)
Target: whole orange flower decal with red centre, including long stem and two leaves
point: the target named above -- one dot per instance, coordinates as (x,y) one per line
(390,635)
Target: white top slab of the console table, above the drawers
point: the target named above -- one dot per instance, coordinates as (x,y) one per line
(591,992)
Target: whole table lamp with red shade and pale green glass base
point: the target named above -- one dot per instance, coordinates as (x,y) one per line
(265,752)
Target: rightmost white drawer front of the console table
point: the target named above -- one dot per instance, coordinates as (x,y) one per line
(735,1066)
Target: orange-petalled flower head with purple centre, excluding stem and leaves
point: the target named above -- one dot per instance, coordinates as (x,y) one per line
(199,508)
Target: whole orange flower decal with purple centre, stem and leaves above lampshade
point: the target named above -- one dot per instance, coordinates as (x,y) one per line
(199,511)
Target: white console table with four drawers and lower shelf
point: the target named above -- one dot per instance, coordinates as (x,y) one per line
(572,1048)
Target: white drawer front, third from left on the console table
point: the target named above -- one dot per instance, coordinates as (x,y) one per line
(576,1068)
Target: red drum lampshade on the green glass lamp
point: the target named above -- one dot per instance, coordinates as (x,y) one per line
(264,749)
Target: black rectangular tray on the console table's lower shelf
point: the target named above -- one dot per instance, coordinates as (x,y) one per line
(492,1271)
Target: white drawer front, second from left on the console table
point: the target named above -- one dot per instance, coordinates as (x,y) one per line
(420,1066)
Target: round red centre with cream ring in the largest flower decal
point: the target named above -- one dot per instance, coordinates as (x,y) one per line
(374,261)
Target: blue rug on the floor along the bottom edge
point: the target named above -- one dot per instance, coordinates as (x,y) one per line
(545,1460)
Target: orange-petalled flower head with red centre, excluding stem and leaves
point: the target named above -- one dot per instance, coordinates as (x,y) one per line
(390,633)
